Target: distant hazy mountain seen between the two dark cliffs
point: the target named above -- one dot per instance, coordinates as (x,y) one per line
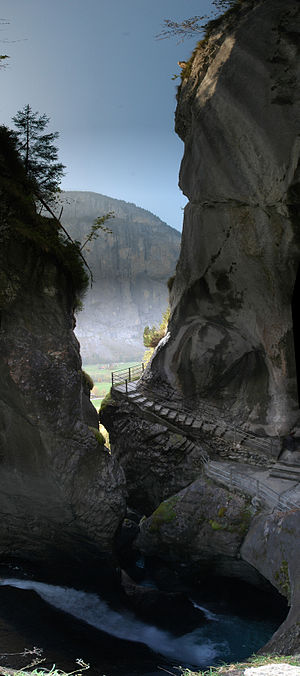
(131,266)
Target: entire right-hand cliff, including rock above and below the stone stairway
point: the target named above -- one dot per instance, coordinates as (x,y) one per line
(231,352)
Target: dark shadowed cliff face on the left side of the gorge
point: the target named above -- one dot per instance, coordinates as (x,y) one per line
(62,496)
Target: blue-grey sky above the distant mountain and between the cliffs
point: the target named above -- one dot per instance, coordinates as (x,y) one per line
(97,70)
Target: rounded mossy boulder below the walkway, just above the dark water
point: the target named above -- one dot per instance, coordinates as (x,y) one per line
(200,523)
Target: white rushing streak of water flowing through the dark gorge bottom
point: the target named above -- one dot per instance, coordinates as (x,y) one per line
(90,608)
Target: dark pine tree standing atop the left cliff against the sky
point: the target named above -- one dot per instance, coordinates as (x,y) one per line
(38,152)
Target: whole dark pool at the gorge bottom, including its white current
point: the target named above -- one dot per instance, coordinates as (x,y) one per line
(68,623)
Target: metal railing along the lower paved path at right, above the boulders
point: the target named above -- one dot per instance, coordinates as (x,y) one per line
(250,485)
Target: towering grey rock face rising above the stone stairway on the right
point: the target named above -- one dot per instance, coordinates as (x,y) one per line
(231,332)
